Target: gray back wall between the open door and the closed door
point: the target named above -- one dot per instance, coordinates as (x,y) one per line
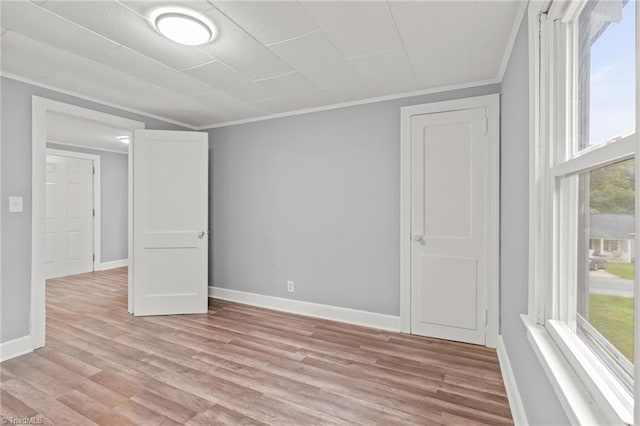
(313,198)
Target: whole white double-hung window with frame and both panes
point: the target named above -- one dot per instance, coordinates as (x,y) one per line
(582,276)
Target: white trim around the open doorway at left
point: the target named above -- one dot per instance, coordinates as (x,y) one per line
(40,107)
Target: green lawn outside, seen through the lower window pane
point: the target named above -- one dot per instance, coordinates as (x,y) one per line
(612,316)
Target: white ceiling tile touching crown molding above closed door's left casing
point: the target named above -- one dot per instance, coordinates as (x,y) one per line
(386,72)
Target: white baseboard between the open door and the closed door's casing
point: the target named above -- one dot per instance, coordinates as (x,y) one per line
(317,310)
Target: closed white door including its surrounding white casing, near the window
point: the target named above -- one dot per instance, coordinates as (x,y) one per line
(449,220)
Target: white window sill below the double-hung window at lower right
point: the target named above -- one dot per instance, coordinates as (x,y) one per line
(585,399)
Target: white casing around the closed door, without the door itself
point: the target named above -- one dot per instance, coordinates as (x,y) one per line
(491,103)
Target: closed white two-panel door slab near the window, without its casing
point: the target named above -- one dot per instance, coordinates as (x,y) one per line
(449,157)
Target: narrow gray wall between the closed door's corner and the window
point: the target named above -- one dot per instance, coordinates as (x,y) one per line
(541,404)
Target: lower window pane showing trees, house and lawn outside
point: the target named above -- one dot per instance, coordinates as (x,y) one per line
(604,302)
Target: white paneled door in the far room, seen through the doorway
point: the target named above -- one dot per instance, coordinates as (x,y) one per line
(69,216)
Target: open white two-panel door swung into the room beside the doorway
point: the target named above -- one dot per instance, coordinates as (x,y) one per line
(170,222)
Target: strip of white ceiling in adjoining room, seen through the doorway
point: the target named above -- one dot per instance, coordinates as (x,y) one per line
(70,130)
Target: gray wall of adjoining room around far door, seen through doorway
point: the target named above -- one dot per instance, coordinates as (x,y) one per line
(114,201)
